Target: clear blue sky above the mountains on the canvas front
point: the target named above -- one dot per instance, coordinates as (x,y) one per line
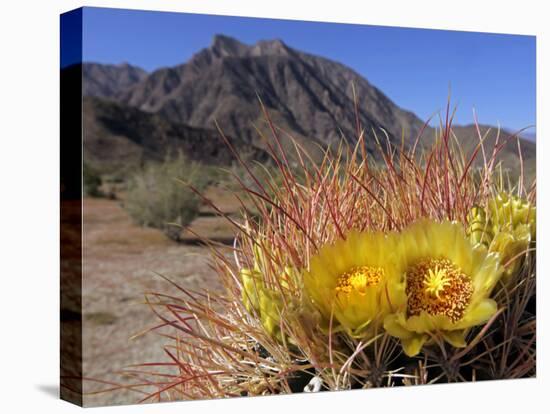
(493,73)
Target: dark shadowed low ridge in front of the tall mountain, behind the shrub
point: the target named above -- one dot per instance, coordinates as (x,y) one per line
(118,137)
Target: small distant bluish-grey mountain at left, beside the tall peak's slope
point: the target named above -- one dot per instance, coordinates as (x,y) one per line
(107,81)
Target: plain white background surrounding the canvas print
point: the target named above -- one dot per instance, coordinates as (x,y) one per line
(29,169)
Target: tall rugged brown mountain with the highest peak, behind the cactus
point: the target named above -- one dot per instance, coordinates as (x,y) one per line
(309,96)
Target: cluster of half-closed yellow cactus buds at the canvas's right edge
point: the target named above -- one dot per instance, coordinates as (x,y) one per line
(508,228)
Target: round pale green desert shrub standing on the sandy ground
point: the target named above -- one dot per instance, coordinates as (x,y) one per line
(159,195)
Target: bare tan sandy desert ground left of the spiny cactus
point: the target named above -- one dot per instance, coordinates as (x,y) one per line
(120,259)
